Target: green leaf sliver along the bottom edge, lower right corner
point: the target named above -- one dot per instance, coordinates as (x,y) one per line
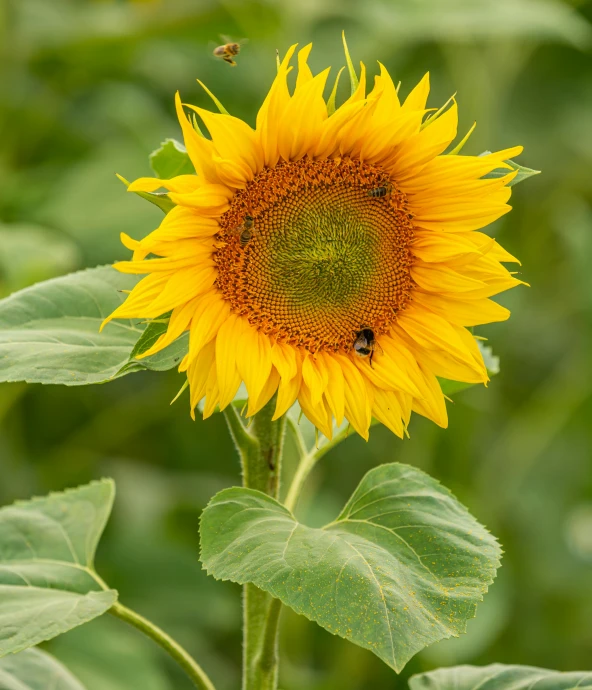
(500,677)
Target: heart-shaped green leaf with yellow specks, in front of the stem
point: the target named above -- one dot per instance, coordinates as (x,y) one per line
(404,564)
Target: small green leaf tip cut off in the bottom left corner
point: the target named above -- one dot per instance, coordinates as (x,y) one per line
(35,670)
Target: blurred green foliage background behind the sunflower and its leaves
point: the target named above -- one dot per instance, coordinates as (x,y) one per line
(86,90)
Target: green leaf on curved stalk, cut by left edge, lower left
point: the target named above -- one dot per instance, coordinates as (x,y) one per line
(47,580)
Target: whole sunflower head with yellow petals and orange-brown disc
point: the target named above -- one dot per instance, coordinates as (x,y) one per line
(331,256)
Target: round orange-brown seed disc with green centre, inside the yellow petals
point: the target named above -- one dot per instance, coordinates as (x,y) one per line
(325,258)
